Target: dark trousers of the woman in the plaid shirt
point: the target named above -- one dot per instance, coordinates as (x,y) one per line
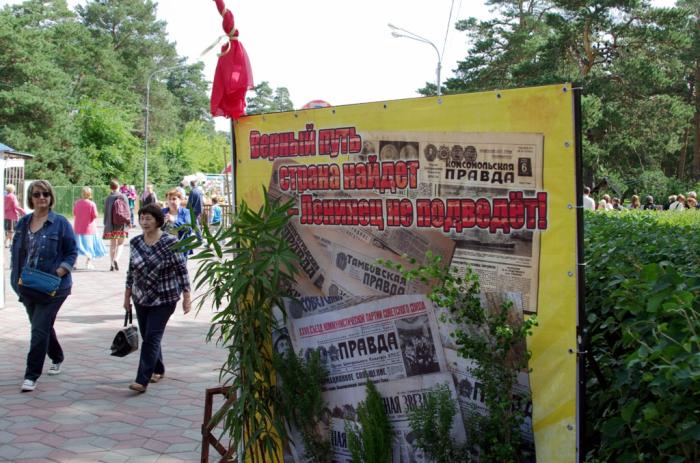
(152,321)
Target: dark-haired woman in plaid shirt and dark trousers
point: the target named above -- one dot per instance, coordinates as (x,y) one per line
(156,277)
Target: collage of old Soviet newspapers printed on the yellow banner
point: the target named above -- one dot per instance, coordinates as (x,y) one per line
(367,322)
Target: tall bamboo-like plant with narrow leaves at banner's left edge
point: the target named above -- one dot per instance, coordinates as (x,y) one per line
(243,272)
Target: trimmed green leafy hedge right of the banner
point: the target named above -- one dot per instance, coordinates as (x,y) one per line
(643,329)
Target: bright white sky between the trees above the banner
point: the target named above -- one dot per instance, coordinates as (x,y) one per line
(340,52)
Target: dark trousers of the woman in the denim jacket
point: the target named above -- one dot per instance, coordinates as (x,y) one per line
(42,315)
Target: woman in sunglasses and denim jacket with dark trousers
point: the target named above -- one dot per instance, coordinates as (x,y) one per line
(46,240)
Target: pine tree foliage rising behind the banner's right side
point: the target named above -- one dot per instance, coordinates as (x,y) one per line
(638,66)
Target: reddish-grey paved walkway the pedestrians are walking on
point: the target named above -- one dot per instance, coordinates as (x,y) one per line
(87,414)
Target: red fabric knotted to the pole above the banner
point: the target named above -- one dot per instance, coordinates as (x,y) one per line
(233,75)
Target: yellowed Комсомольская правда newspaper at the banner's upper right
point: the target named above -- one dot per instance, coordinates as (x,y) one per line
(479,165)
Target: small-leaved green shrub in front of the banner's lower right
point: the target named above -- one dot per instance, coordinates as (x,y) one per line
(495,341)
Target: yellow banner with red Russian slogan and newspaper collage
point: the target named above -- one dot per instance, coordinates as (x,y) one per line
(485,181)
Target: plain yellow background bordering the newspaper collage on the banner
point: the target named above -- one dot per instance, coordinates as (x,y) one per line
(548,110)
